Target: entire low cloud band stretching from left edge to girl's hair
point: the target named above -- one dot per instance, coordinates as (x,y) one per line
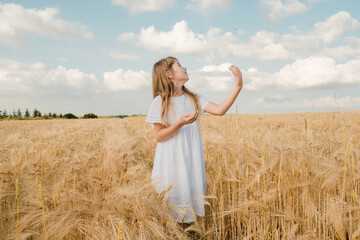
(37,77)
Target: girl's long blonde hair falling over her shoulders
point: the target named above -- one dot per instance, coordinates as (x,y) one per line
(162,86)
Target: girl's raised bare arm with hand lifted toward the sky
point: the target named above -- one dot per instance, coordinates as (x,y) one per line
(221,109)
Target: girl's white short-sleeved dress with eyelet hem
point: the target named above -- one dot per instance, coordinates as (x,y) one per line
(179,161)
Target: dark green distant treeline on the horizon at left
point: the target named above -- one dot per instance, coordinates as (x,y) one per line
(36,114)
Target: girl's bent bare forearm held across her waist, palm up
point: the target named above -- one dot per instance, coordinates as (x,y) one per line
(163,133)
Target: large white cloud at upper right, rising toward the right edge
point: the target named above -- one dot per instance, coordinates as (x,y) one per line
(315,42)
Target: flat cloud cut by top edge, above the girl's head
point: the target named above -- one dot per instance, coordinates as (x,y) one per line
(139,6)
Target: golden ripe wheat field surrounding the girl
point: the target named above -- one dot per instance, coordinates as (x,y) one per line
(285,176)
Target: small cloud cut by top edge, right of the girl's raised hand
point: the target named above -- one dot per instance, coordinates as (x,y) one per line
(277,9)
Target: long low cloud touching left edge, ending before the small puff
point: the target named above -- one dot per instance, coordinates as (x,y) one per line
(36,77)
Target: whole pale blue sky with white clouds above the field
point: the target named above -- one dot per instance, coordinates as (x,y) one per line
(97,55)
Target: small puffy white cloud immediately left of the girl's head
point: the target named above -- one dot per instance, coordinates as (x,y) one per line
(126,80)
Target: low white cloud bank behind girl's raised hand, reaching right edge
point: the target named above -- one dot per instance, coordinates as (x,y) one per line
(302,73)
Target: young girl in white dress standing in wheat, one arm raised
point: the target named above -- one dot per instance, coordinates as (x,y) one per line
(179,158)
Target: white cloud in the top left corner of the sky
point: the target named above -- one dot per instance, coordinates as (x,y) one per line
(17,23)
